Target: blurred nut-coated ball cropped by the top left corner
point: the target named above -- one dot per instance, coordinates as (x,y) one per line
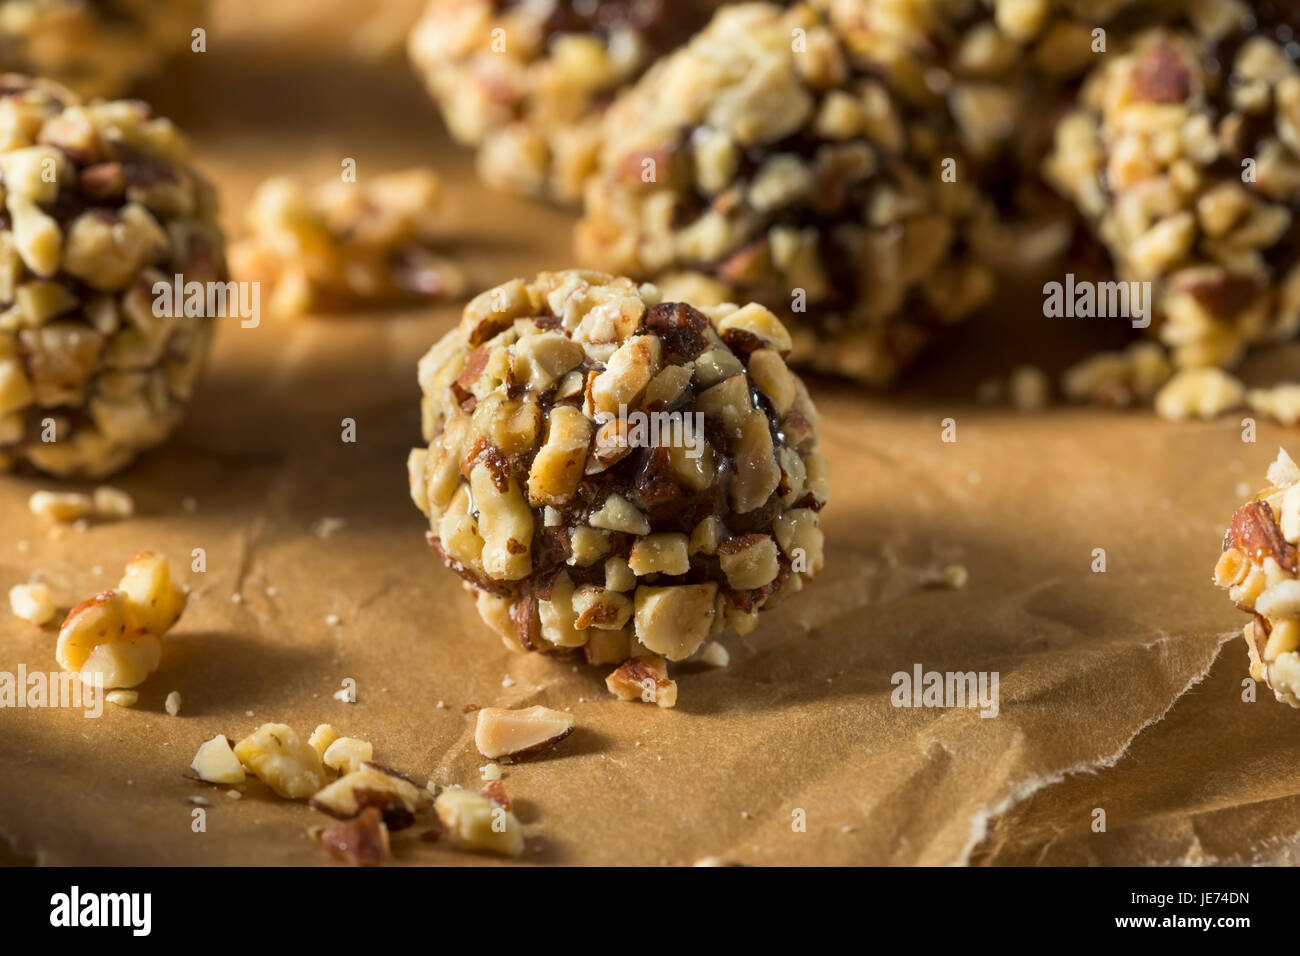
(97,47)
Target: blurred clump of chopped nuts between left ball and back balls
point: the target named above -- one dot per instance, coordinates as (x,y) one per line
(346,244)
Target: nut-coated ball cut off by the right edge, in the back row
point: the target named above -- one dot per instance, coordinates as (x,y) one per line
(1185,154)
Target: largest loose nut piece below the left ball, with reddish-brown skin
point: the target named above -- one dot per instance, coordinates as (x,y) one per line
(115,638)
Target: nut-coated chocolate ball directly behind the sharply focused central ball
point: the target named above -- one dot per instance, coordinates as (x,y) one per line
(757,165)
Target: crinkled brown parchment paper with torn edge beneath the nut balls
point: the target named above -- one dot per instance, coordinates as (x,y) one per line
(1119,690)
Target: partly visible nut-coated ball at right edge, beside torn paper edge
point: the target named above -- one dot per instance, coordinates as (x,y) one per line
(1262,570)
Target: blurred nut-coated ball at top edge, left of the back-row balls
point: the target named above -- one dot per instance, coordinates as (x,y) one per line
(527,83)
